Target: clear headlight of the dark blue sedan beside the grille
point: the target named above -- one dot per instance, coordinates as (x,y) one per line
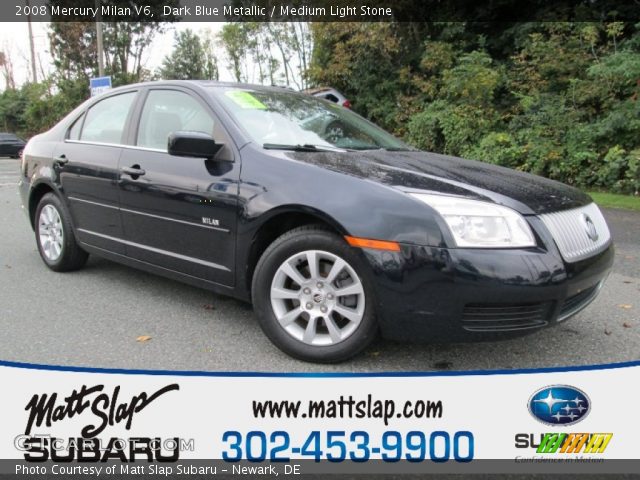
(480,224)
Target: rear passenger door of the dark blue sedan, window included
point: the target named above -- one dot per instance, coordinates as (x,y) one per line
(88,162)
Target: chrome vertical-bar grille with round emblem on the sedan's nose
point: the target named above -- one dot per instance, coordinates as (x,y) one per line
(570,230)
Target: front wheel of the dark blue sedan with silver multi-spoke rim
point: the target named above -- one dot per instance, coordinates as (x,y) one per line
(313,297)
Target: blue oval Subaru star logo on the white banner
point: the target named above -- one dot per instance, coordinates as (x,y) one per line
(559,405)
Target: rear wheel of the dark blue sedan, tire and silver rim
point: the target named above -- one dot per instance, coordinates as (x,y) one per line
(54,236)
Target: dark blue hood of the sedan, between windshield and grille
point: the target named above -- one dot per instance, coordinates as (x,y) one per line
(524,192)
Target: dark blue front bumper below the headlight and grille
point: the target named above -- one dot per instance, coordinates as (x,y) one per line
(439,294)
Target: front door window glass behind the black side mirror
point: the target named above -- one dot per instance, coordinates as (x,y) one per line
(167,111)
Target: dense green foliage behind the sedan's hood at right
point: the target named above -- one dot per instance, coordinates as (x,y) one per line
(557,99)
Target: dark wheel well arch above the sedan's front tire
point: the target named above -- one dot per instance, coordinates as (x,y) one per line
(277,226)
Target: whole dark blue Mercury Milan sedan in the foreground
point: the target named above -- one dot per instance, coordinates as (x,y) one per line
(241,190)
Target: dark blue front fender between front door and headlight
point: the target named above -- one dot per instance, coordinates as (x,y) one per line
(356,206)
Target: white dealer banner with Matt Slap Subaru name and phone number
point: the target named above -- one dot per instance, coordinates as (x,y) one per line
(579,415)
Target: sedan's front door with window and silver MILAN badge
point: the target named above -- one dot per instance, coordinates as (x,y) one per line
(179,212)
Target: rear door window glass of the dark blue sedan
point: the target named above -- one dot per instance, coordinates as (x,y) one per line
(105,121)
